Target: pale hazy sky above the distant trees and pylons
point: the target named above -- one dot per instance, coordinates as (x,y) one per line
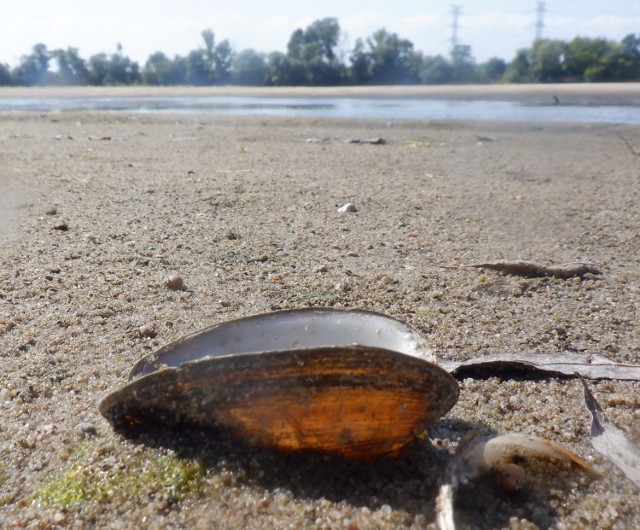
(490,27)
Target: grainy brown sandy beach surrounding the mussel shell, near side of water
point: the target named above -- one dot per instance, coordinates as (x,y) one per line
(99,209)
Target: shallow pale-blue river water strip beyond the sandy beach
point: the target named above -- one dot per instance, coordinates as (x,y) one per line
(372,108)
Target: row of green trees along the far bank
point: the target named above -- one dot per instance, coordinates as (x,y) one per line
(315,57)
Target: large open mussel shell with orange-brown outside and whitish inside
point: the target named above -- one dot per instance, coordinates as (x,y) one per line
(355,383)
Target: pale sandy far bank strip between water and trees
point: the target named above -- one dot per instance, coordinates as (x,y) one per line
(596,93)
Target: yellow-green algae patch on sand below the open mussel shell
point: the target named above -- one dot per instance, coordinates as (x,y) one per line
(84,480)
